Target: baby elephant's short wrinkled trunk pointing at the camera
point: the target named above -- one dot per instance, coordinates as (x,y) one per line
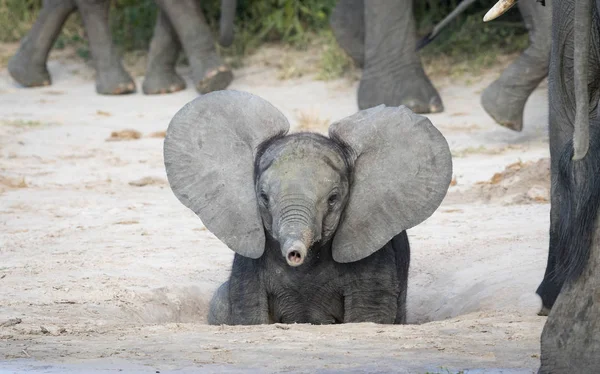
(296,229)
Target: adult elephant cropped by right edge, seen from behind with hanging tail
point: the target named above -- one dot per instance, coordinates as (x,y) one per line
(570,341)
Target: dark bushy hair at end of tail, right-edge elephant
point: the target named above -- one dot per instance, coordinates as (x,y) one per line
(578,189)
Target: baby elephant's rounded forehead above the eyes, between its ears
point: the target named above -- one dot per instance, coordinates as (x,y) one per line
(303,148)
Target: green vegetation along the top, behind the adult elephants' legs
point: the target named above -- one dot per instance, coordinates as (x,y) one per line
(295,23)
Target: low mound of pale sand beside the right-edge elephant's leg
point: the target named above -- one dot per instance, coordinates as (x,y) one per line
(519,183)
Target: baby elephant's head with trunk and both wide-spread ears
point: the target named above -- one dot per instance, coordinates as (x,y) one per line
(380,172)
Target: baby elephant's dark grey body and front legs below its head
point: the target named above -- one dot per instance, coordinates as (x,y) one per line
(322,291)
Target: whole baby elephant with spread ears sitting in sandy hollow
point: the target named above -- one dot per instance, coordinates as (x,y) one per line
(317,223)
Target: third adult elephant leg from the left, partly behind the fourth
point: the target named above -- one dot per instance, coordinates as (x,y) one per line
(161,77)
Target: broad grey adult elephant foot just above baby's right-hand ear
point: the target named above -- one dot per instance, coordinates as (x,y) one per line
(408,86)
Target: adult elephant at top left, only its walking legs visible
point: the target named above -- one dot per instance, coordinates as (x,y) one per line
(179,23)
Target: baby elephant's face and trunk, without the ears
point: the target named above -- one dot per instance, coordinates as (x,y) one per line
(302,185)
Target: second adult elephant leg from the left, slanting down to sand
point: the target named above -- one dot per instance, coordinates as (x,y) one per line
(111,77)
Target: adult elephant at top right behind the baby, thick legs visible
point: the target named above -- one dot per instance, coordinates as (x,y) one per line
(380,36)
